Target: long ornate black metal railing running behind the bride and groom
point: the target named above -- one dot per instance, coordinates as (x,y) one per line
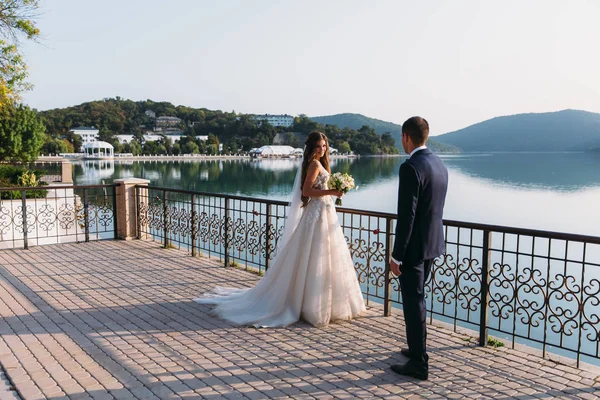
(533,287)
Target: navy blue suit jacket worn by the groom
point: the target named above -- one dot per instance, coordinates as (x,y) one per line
(421,198)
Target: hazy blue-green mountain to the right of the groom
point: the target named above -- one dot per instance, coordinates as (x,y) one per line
(571,130)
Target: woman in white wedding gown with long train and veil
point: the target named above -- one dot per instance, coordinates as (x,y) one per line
(312,276)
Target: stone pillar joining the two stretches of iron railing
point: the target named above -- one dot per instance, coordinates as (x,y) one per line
(127,222)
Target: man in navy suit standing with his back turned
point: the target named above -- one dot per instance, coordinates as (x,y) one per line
(419,237)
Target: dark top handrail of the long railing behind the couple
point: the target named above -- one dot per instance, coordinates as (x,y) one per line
(454,223)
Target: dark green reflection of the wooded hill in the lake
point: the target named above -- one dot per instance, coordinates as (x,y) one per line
(243,177)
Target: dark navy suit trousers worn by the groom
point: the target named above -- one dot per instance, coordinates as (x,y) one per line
(412,284)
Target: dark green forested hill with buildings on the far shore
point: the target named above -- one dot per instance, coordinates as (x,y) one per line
(235,131)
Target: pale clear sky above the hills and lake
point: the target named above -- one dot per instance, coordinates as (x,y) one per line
(455,62)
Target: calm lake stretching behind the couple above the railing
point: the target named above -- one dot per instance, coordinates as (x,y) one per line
(547,191)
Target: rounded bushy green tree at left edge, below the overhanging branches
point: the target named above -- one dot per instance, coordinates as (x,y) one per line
(21,133)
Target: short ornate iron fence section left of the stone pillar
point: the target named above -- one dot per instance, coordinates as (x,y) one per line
(56,214)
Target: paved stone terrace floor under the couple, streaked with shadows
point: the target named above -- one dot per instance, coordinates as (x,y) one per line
(116,320)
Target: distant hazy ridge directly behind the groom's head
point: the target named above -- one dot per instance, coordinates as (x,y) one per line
(356,121)
